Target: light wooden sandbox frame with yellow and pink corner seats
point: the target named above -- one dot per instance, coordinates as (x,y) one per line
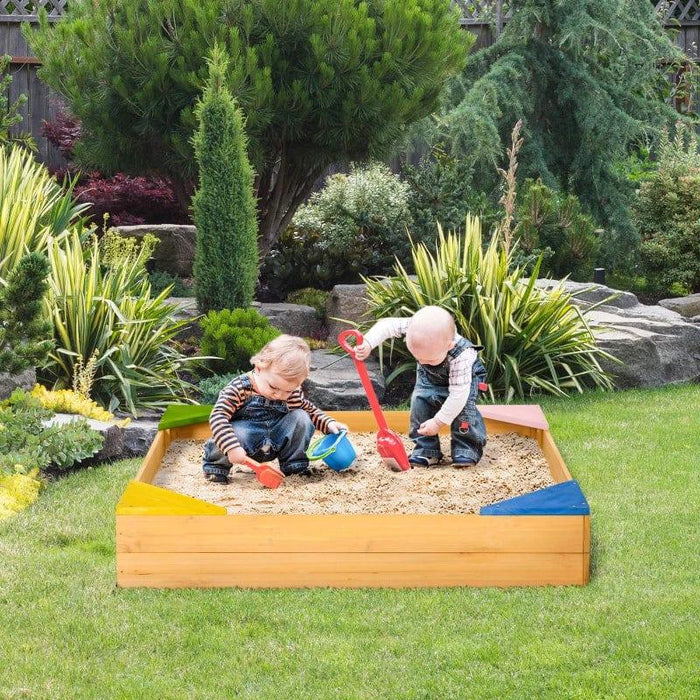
(167,540)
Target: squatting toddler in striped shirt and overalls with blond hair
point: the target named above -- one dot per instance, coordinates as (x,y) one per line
(263,413)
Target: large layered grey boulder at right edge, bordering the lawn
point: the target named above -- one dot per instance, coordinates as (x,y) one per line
(655,346)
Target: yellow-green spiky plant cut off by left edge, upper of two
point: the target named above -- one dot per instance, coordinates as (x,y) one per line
(33,207)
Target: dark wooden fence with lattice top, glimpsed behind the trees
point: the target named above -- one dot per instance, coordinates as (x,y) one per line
(485,18)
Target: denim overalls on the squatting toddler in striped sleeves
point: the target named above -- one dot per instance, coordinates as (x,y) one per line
(267,430)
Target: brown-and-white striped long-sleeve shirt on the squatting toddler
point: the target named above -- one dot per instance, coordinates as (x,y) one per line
(232,398)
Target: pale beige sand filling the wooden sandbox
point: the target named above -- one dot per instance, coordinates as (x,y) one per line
(511,465)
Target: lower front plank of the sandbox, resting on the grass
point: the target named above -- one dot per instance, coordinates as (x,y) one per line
(300,570)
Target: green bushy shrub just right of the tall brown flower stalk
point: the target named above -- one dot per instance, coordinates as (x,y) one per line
(551,222)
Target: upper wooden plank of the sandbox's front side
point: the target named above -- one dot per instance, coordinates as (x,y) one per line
(350,533)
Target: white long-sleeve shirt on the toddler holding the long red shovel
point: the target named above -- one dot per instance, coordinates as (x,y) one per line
(460,376)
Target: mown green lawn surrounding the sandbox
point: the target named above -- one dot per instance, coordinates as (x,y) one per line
(67,632)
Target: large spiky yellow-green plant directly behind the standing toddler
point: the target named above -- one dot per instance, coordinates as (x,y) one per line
(533,340)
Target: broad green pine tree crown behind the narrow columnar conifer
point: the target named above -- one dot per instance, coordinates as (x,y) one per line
(319,81)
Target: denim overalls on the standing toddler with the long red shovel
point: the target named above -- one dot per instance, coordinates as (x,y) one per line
(432,387)
